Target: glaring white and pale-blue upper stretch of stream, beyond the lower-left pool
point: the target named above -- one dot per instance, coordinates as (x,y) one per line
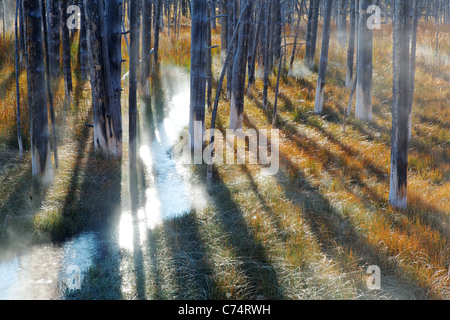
(170,190)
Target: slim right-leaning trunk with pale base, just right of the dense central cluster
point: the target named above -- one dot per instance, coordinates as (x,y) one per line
(320,89)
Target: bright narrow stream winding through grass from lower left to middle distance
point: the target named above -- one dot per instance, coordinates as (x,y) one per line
(41,271)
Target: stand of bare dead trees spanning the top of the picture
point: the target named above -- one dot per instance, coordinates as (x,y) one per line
(257,37)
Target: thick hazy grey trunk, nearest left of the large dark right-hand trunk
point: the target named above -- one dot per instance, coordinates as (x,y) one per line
(365,65)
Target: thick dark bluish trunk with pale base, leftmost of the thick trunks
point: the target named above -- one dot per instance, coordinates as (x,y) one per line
(40,144)
